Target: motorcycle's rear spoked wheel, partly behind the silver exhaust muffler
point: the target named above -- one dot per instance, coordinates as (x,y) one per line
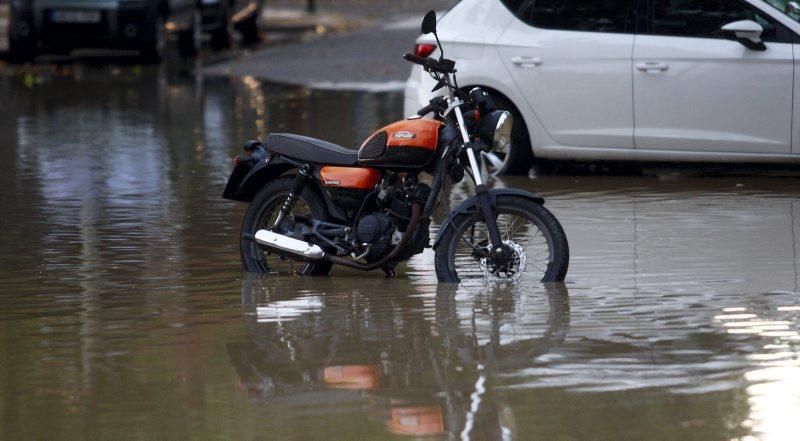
(262,213)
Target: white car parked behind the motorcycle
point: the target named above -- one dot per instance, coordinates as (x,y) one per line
(651,80)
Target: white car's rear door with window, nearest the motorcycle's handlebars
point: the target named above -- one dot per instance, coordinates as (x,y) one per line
(571,60)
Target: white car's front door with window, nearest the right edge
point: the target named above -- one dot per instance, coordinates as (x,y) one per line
(695,90)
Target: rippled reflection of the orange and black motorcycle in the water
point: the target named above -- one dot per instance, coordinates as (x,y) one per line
(420,364)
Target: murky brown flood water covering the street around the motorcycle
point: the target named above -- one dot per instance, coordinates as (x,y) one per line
(124,313)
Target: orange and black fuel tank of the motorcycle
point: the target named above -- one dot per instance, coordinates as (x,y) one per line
(410,143)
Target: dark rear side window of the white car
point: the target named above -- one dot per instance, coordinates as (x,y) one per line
(575,15)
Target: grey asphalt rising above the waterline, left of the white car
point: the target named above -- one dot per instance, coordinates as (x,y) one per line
(367,59)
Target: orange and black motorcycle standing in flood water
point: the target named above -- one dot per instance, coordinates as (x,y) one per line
(319,204)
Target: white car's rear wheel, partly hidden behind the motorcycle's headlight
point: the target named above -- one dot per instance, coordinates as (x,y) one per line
(518,157)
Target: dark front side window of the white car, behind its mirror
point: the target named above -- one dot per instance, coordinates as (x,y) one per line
(705,18)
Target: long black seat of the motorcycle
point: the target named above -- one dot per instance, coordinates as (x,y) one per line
(310,149)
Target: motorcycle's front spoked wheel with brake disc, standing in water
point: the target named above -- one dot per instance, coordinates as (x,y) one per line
(535,246)
